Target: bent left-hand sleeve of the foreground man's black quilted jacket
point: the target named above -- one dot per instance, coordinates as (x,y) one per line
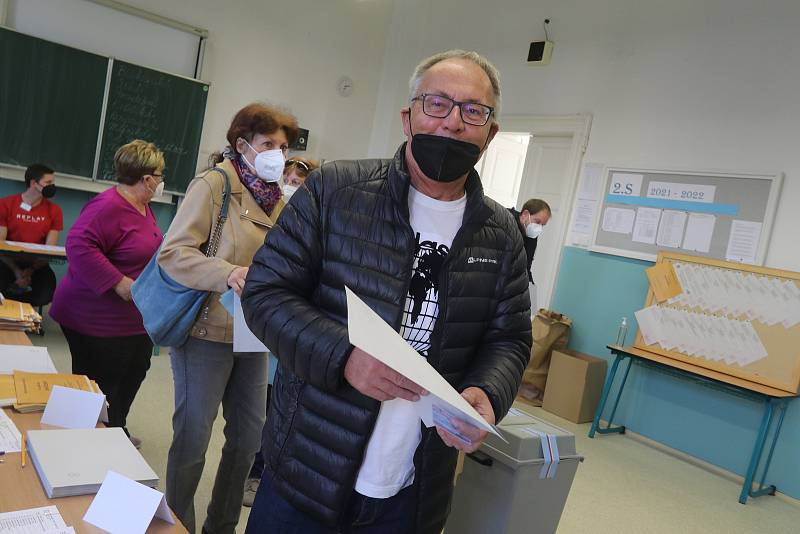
(277,296)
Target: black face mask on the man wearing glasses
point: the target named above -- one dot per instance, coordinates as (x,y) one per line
(443,159)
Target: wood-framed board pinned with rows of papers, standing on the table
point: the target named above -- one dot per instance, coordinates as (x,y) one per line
(778,297)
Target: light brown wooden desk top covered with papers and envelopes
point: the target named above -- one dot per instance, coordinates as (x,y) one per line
(20,487)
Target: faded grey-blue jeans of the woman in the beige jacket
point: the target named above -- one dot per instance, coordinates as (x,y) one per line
(206,374)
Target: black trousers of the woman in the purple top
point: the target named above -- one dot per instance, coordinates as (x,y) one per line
(118,365)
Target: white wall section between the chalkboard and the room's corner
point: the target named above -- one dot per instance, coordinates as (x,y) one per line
(291,54)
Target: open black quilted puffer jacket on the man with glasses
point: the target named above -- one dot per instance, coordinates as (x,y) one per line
(349,225)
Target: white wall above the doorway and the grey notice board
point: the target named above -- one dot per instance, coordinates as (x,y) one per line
(679,84)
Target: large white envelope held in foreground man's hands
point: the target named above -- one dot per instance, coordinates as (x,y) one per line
(371,334)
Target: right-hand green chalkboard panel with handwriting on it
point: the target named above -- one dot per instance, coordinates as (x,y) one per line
(165,109)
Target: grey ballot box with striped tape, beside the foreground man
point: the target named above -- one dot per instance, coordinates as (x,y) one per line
(516,487)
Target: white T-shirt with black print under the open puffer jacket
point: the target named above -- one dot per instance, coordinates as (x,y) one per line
(388,465)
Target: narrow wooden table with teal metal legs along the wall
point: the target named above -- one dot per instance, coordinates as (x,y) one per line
(774,401)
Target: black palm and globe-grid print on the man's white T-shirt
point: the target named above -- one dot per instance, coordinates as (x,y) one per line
(422,301)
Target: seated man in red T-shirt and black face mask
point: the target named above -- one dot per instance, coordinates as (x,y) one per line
(31,218)
